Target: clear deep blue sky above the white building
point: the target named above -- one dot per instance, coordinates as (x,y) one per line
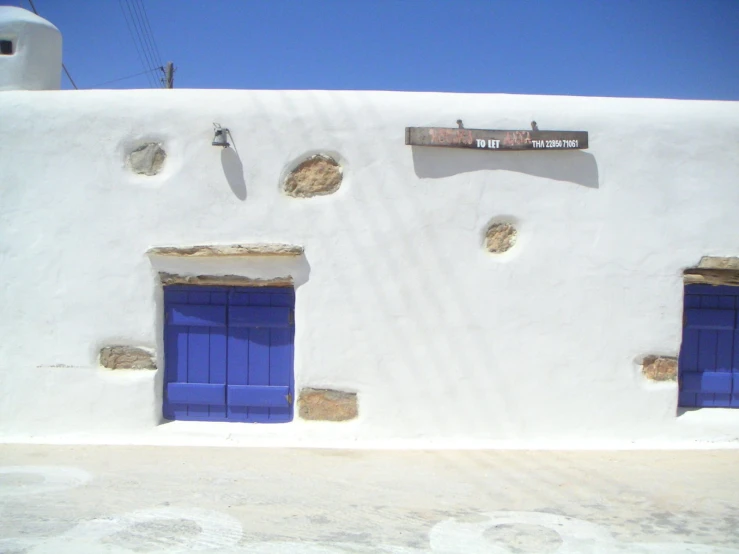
(647,48)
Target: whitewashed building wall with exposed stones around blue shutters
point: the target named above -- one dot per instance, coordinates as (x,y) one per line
(446,344)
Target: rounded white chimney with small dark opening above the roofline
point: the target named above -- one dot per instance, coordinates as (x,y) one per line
(30,51)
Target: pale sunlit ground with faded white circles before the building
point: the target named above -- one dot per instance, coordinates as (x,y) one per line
(76,499)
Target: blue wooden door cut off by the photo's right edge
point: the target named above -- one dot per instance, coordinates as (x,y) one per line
(709,355)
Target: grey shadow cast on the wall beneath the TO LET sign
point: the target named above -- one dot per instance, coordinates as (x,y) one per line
(572,166)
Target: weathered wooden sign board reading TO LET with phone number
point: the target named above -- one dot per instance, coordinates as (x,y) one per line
(481,139)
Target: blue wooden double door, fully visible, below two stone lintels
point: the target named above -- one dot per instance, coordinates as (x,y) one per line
(228,353)
